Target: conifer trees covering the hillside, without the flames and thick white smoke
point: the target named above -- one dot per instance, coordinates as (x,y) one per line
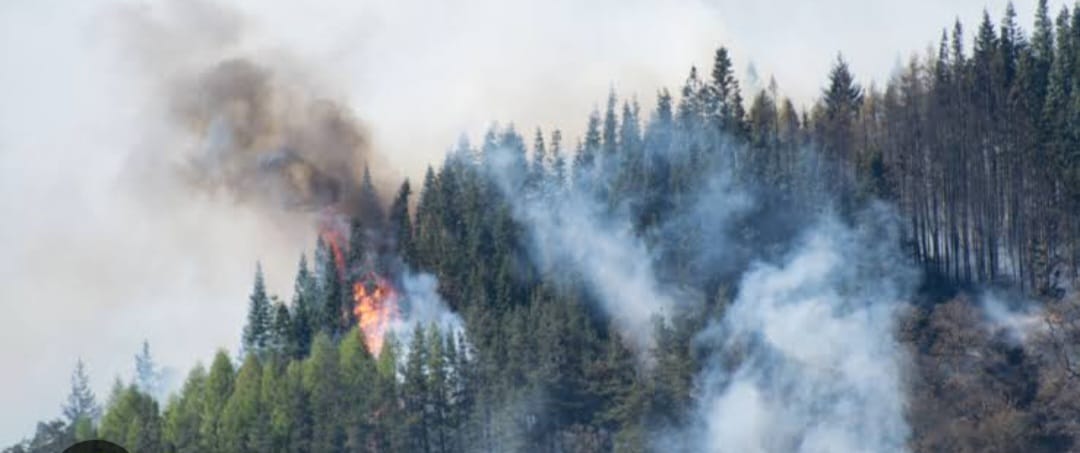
(979,153)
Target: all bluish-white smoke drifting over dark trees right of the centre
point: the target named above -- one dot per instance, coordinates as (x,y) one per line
(805,358)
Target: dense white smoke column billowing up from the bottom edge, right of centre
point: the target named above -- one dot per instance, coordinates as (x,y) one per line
(806,358)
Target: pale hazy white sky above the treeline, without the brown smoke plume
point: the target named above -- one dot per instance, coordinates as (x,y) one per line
(92,265)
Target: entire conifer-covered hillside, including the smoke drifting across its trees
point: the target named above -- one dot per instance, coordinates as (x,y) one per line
(606,284)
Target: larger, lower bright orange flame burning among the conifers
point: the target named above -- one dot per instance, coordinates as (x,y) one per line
(376,307)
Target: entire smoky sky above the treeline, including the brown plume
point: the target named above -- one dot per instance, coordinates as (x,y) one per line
(101,144)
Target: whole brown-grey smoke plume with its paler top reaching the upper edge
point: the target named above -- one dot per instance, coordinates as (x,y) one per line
(253,126)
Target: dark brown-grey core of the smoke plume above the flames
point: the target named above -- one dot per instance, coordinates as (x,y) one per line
(265,144)
